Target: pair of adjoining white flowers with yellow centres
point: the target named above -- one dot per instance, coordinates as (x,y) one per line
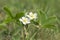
(28,17)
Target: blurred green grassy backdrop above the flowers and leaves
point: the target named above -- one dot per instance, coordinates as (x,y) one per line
(49,6)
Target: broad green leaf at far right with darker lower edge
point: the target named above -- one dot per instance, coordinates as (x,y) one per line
(49,23)
